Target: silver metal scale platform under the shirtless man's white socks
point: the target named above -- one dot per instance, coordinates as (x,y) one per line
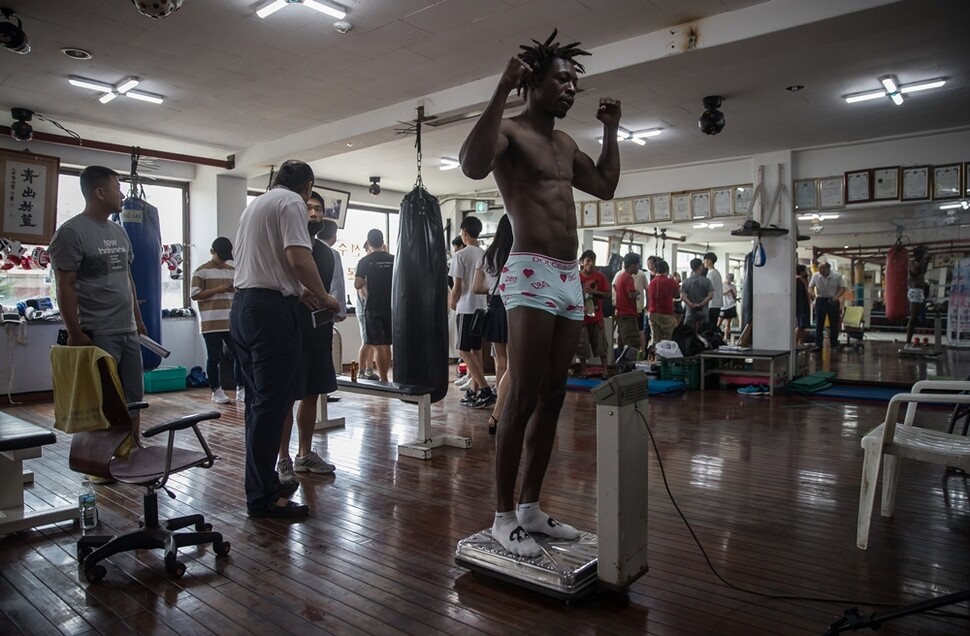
(565,570)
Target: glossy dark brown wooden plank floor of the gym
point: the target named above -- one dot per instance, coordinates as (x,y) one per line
(769,485)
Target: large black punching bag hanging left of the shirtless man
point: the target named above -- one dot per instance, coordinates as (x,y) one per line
(419,296)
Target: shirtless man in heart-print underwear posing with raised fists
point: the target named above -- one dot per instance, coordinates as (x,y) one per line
(536,168)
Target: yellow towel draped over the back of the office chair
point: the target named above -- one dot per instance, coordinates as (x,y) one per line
(77,387)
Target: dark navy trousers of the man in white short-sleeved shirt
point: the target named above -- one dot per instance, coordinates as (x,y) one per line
(266,333)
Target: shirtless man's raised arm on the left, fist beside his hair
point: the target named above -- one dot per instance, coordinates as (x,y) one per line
(486,143)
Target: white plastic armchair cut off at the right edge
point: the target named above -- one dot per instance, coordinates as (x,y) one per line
(906,440)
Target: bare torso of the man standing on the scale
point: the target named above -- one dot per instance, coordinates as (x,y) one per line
(535,177)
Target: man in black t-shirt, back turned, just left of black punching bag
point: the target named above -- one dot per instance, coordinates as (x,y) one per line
(374,282)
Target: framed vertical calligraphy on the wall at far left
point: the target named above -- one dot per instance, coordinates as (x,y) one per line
(29,193)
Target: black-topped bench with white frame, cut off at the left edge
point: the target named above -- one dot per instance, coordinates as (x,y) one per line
(20,440)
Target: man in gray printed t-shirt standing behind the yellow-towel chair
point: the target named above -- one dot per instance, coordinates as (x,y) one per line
(91,257)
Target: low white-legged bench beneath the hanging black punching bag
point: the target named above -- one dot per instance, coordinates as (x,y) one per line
(423,446)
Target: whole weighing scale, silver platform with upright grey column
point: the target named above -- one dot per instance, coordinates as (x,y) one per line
(617,556)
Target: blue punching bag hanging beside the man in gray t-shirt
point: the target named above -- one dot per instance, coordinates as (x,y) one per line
(140,220)
